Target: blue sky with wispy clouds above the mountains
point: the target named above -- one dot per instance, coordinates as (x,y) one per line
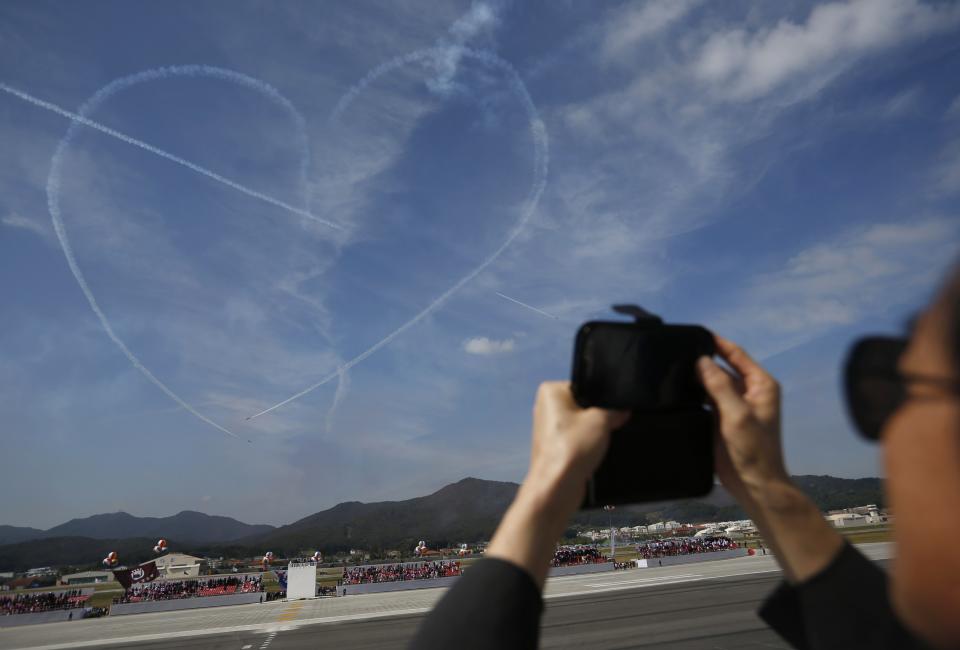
(785,174)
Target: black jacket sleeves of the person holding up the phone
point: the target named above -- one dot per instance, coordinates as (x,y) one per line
(497,605)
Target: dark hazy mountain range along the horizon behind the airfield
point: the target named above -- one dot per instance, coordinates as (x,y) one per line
(465,511)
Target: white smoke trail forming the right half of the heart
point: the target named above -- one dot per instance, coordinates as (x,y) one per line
(538,133)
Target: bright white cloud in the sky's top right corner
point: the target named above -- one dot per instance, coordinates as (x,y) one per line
(746,65)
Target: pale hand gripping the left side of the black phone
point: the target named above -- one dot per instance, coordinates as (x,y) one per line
(568,441)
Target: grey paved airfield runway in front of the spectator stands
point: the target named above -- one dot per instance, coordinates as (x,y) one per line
(705,605)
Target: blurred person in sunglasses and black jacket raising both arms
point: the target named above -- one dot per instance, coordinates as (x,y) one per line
(907,395)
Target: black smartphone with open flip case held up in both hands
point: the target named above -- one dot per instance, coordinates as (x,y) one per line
(665,451)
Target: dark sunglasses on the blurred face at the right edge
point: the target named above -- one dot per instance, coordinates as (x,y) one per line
(876,388)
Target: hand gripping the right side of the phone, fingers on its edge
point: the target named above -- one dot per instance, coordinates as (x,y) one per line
(748,451)
